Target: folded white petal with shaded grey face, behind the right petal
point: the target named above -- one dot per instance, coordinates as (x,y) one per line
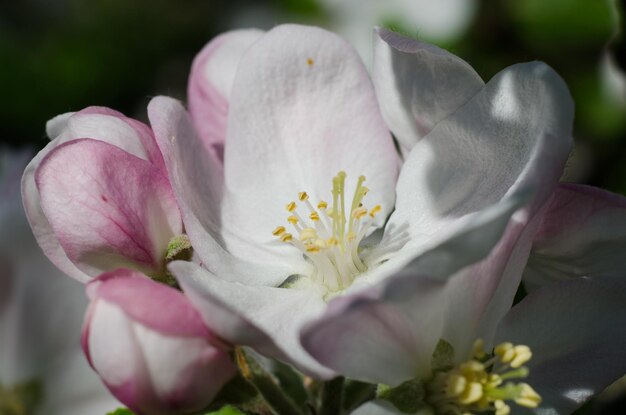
(418,85)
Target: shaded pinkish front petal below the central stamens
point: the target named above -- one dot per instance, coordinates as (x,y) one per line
(378,341)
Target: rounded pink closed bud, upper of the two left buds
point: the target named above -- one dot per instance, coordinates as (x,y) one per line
(97,196)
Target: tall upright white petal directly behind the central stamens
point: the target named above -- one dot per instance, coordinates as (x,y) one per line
(302,109)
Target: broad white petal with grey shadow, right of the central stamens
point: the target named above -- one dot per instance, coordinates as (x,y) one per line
(515,133)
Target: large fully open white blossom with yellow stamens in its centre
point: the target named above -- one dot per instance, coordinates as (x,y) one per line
(281,253)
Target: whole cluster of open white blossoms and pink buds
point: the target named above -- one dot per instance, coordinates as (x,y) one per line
(368,226)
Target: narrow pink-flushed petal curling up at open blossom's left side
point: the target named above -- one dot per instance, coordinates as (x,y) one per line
(197,179)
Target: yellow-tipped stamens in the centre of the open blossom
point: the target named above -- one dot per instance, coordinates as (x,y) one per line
(329,236)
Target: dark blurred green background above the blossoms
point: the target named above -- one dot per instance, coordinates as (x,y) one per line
(59,56)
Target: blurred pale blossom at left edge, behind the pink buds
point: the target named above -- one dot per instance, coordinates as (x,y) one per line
(42,368)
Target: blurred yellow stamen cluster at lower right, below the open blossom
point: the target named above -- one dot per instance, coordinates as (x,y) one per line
(478,385)
